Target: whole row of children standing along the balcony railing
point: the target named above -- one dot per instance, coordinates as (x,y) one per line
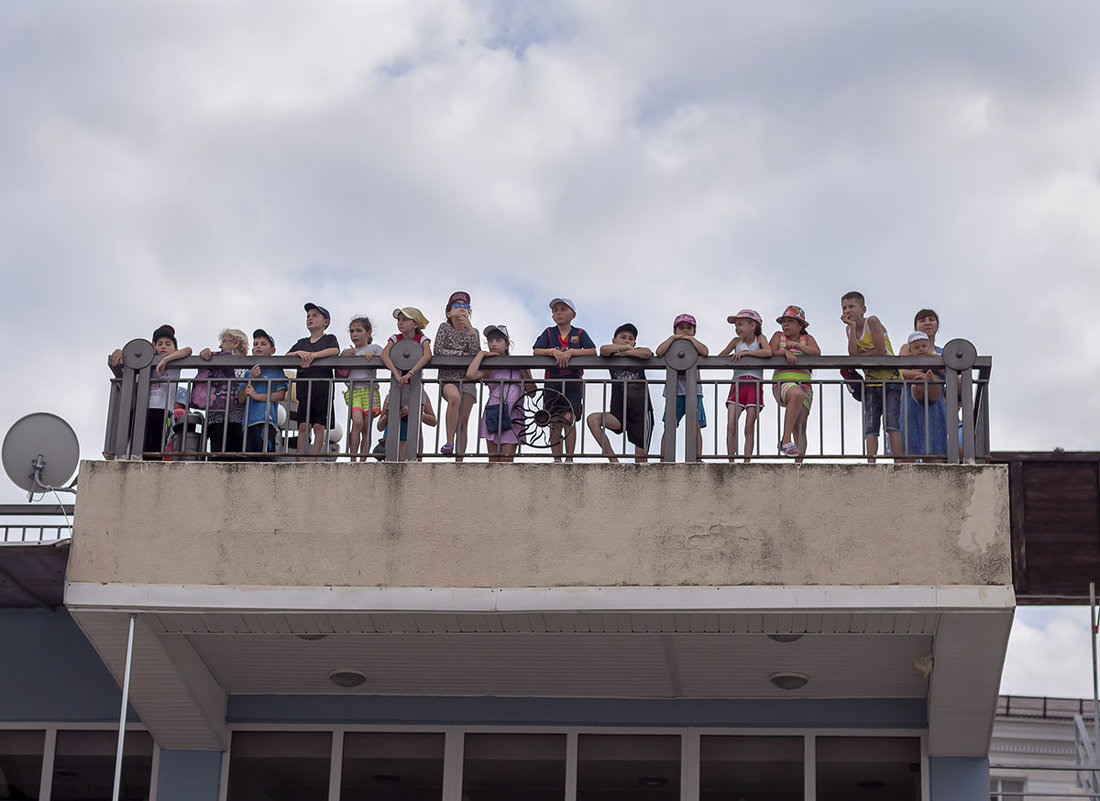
(245,421)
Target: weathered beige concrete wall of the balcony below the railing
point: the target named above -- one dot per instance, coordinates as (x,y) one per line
(540,525)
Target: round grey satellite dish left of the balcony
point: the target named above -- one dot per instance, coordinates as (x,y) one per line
(41,453)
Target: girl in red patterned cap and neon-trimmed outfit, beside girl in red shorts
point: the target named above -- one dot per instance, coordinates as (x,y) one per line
(791,386)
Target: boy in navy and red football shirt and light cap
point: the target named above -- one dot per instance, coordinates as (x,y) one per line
(564,342)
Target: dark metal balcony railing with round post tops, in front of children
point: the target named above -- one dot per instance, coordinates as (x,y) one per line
(831,436)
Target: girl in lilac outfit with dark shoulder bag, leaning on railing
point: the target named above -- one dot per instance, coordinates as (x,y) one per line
(502,426)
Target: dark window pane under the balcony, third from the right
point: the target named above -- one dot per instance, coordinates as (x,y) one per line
(629,767)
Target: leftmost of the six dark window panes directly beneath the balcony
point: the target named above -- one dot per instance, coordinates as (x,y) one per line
(280,766)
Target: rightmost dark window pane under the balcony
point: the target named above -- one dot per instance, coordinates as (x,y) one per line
(875,769)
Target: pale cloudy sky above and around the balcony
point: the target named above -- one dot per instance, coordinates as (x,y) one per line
(218,164)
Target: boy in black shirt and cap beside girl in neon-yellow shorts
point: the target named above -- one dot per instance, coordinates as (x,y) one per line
(314,387)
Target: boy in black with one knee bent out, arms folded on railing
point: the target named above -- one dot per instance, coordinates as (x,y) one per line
(632,412)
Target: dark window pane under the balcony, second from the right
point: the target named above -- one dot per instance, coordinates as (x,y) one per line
(751,769)
